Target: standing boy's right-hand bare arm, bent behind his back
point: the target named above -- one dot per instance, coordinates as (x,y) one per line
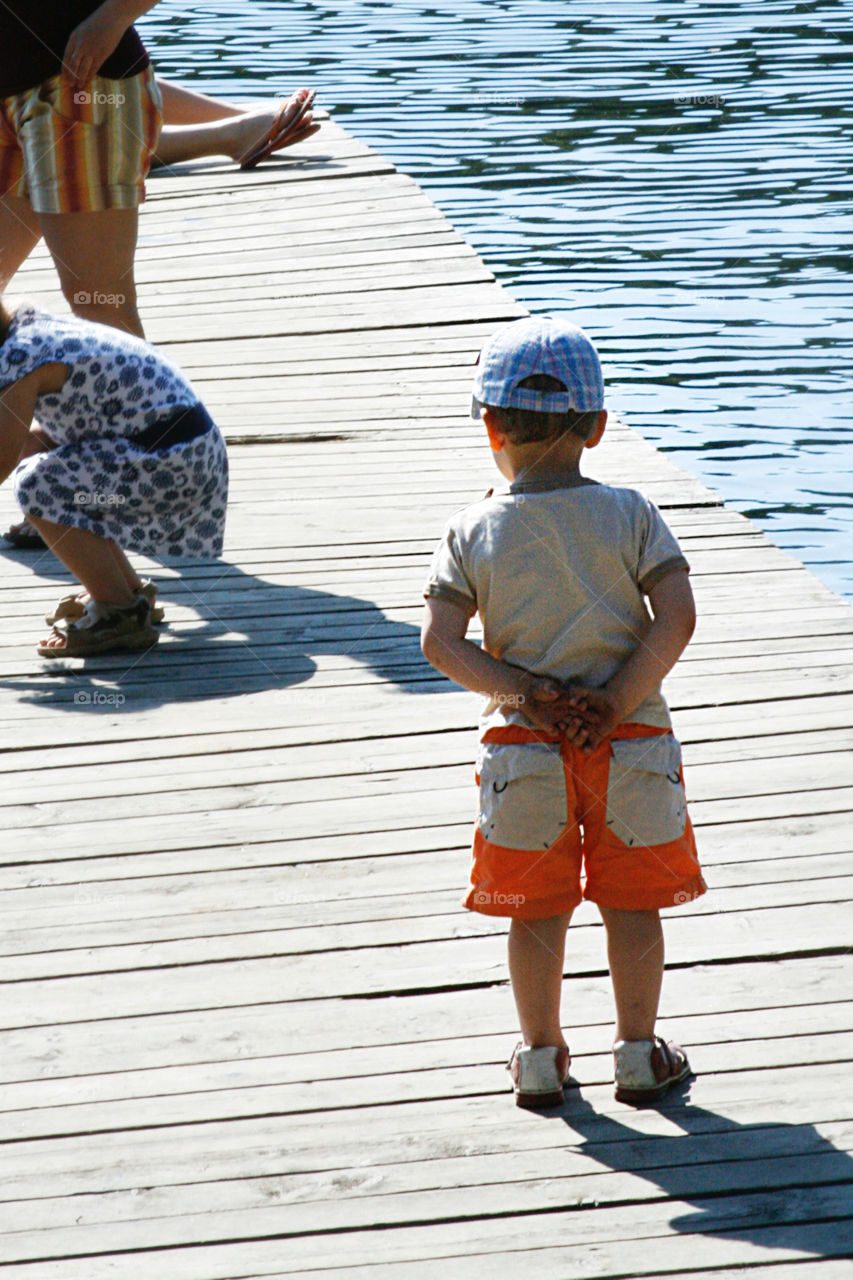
(659,651)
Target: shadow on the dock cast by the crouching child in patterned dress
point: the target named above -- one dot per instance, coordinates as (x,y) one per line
(247,636)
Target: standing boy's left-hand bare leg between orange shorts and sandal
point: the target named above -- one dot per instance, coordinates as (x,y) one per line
(536,953)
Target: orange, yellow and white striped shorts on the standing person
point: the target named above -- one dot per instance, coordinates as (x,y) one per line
(74,150)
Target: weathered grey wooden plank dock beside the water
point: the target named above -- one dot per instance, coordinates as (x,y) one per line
(248,1031)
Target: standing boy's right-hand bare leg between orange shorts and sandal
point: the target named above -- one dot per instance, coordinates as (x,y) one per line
(636,956)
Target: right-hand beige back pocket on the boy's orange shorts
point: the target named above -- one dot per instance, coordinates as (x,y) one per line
(646,803)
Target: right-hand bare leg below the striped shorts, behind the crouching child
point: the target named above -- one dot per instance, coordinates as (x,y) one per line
(94,255)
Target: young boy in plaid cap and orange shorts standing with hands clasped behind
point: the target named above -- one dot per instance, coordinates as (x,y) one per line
(578,766)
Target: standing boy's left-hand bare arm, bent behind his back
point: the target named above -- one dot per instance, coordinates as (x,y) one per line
(443,641)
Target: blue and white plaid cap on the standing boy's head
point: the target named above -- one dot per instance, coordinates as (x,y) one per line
(539,345)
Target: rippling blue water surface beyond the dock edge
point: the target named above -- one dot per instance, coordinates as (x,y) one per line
(674,175)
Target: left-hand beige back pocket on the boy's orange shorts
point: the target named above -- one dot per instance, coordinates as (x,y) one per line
(523,794)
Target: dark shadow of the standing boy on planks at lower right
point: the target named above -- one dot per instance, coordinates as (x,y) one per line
(749,1182)
